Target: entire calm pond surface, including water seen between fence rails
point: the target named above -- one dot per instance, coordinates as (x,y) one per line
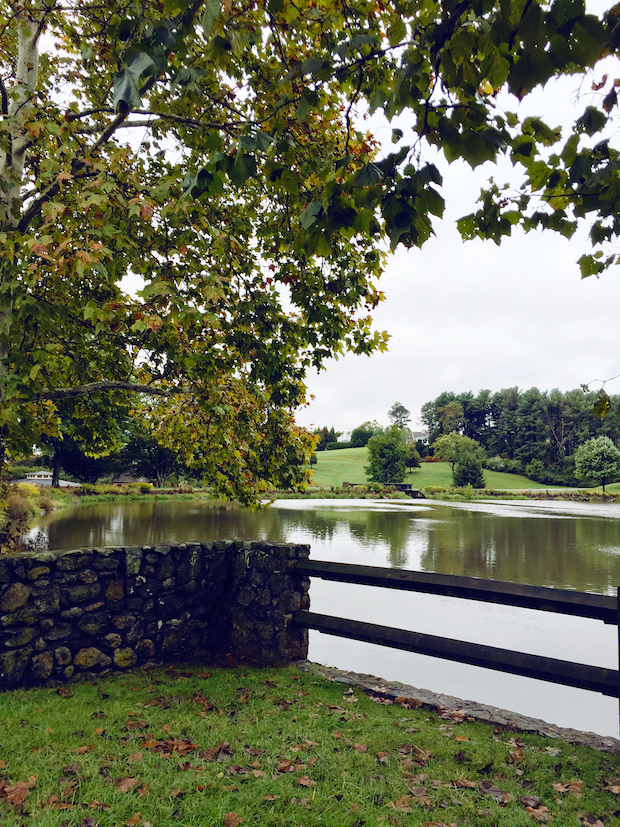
(564,545)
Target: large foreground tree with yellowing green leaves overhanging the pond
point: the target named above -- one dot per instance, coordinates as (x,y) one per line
(213,156)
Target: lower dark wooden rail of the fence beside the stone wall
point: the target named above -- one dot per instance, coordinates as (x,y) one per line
(581,676)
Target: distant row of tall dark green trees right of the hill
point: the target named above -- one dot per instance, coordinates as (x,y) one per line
(530,432)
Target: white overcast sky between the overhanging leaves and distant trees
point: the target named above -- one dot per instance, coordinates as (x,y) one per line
(471,315)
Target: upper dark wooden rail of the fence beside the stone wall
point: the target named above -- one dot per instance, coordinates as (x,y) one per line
(562,601)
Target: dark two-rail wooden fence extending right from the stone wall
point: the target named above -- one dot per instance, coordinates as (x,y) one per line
(566,673)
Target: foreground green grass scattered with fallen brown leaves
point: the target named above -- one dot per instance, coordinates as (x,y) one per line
(276,748)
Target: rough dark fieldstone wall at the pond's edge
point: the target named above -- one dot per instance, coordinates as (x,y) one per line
(109,609)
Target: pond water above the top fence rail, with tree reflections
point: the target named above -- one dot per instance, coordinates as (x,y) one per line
(568,545)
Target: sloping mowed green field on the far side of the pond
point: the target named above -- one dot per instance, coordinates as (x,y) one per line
(347,465)
